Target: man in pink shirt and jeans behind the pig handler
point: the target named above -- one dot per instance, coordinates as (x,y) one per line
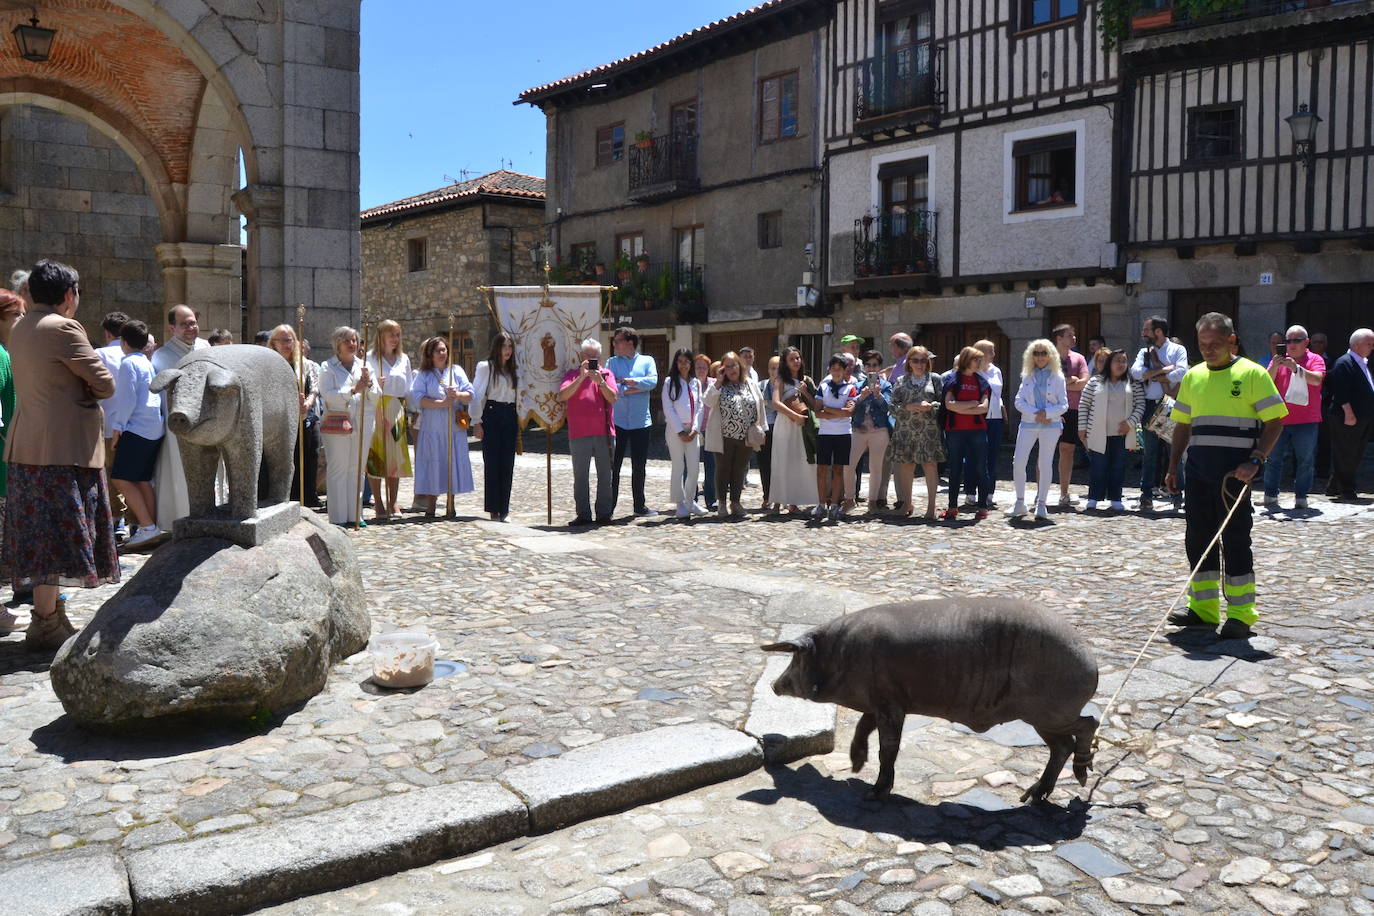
(1299,378)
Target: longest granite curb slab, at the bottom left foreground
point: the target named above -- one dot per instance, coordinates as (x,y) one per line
(340,848)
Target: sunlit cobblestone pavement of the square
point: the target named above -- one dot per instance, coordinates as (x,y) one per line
(1257,794)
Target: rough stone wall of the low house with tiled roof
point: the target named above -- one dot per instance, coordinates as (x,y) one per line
(469,247)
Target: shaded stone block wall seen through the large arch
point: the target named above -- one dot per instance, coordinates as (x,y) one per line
(71,193)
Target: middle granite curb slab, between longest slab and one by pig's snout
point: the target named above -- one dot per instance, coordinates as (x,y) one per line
(620,772)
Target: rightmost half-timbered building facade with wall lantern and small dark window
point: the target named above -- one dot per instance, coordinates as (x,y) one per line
(1251,167)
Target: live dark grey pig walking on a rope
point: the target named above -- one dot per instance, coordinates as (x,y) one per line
(978,661)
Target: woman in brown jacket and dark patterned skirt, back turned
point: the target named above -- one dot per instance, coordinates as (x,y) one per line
(58,529)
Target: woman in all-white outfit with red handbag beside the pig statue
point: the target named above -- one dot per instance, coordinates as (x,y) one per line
(350,392)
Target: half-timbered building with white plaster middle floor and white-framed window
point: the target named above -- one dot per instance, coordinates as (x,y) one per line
(969,172)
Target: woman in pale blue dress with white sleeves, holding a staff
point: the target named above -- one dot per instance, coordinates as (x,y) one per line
(443,395)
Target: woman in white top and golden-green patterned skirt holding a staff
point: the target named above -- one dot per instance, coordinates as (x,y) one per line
(390,451)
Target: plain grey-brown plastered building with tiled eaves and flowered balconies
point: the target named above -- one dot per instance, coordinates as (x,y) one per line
(688,175)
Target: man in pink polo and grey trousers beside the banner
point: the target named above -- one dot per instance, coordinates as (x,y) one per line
(590,392)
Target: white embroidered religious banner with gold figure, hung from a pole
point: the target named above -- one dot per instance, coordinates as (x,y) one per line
(549,333)
